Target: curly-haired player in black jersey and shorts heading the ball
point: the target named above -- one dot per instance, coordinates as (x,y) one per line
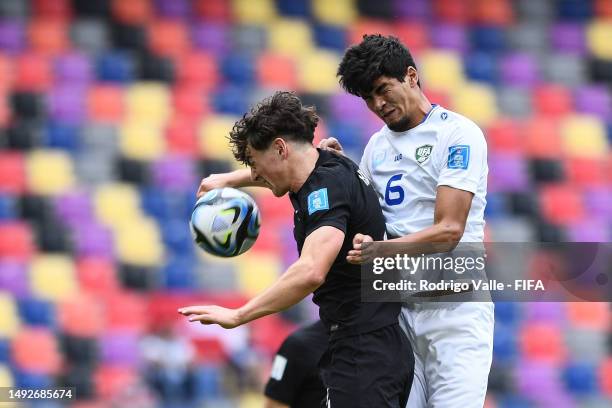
(333,201)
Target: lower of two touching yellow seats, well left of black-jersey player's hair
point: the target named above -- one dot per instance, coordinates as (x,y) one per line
(142,140)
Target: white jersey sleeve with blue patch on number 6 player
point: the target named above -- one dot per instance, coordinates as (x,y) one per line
(463,160)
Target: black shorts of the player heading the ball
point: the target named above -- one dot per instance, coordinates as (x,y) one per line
(369,370)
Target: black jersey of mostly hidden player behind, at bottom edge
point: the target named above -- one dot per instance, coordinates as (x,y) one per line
(295,379)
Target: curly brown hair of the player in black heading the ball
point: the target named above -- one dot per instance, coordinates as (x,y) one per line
(279,115)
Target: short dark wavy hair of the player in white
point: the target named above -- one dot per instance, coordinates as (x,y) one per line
(373,57)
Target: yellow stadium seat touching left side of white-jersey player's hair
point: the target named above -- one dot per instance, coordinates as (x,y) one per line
(317,72)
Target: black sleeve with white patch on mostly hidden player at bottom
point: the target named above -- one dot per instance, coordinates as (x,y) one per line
(290,369)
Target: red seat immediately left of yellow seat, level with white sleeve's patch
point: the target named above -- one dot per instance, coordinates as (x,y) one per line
(542,139)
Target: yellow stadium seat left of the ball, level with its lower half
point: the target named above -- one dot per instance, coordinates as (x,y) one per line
(139,242)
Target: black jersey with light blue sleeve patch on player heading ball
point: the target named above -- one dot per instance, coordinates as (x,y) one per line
(336,194)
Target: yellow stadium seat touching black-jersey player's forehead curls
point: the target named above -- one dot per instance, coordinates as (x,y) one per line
(212,136)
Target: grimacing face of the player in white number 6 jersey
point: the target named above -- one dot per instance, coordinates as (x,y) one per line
(394,101)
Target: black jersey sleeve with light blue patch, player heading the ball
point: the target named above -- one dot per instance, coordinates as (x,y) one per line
(328,203)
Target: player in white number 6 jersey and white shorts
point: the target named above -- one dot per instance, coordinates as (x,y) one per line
(429,167)
